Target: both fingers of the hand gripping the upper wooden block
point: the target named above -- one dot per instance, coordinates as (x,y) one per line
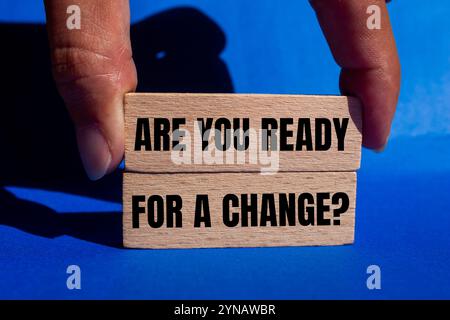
(93,69)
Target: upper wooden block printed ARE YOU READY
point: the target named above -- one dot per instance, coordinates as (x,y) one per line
(300,121)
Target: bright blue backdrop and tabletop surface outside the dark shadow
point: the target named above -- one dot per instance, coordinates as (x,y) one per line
(403,208)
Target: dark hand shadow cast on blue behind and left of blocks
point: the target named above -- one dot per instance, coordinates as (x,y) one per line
(177,50)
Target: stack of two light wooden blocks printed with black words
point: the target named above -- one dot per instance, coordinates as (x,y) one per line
(228,170)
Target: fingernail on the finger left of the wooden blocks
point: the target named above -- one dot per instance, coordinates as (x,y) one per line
(94,151)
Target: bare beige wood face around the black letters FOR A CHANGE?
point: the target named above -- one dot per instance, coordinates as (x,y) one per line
(216,185)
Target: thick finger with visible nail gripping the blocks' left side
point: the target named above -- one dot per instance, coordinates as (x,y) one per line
(93,69)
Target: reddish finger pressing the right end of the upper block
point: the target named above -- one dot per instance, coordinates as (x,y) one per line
(369,61)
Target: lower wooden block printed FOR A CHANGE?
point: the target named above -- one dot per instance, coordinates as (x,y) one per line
(200,210)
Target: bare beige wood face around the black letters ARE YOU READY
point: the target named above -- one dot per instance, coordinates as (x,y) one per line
(255,107)
